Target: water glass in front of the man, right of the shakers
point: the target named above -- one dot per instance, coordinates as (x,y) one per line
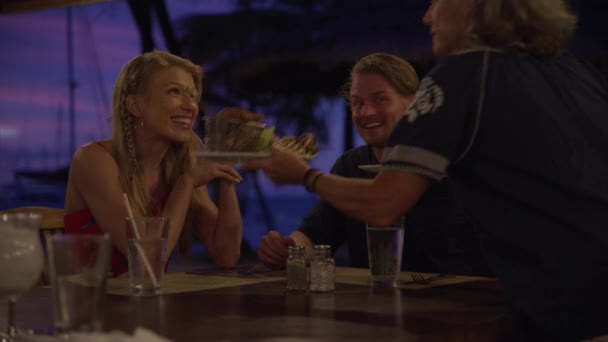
(384,250)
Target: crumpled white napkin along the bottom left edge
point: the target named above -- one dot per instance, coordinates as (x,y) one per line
(139,335)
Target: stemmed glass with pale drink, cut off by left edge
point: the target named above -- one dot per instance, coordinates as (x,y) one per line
(21,261)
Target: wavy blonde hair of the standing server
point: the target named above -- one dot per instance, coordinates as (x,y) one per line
(537,27)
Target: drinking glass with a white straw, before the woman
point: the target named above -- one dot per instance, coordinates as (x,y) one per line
(147,253)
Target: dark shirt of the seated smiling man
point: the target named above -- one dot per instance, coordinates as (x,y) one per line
(439,236)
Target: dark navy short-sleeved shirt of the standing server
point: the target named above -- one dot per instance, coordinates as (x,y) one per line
(524,141)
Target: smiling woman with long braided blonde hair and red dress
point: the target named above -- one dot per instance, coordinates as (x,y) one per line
(150,159)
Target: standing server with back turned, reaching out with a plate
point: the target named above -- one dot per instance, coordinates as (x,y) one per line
(520,127)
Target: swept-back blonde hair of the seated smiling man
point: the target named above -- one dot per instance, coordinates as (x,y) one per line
(397,71)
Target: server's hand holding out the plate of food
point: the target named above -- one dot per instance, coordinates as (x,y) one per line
(283,166)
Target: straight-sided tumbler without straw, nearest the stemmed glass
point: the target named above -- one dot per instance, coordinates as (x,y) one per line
(78,265)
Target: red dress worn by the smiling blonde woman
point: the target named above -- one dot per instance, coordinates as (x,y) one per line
(83,222)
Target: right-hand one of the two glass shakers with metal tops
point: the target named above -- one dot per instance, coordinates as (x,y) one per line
(322,270)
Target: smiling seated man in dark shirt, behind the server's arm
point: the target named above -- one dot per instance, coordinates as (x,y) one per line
(439,237)
